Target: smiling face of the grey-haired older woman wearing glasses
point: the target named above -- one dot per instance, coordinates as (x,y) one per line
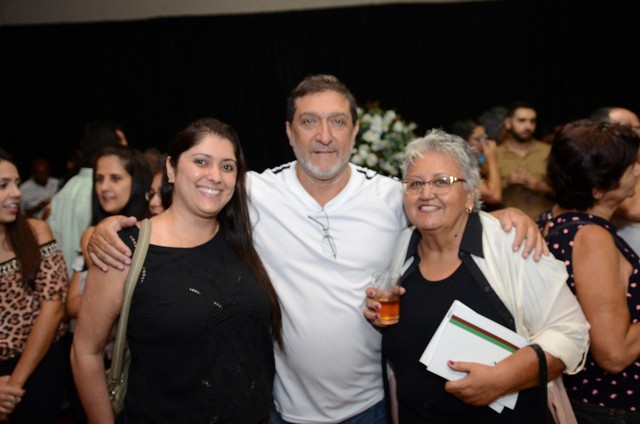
(441,212)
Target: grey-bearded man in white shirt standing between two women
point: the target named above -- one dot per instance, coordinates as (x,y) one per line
(323,225)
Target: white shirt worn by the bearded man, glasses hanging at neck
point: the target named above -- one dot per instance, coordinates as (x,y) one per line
(331,368)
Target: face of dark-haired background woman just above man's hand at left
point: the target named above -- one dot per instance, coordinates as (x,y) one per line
(112,184)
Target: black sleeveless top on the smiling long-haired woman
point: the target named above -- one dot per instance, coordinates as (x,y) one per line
(200,340)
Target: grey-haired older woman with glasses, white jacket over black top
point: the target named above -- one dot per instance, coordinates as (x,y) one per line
(455,252)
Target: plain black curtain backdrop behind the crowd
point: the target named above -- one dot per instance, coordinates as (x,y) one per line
(434,63)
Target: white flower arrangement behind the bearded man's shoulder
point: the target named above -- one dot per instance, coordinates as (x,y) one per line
(381,140)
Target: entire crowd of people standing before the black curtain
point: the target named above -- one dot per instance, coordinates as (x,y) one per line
(255,302)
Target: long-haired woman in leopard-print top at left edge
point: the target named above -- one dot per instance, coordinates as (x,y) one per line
(33,287)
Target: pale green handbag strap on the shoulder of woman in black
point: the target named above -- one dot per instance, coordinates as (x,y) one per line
(115,371)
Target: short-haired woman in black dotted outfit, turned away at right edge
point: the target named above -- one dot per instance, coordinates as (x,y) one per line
(592,168)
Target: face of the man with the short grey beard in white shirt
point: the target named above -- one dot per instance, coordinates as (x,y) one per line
(322,134)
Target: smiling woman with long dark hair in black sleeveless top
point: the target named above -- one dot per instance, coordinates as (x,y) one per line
(204,314)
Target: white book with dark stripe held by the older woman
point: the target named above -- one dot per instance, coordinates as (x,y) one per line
(464,335)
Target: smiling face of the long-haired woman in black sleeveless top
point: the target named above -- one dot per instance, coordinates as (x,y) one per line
(205,176)
